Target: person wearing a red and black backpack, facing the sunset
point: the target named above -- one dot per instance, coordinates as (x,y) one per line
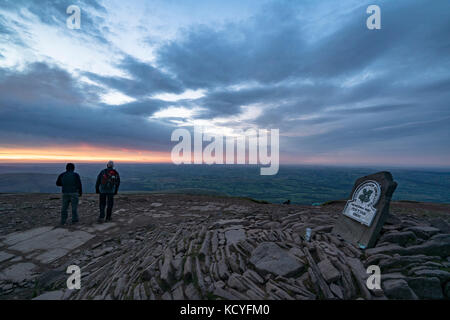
(107,185)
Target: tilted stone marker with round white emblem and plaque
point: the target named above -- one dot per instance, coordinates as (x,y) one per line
(366,210)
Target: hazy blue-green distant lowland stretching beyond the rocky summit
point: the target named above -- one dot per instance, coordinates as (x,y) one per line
(300,184)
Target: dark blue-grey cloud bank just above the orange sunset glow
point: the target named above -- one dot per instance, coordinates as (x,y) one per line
(45,105)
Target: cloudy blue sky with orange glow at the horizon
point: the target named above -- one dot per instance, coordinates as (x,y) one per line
(339,93)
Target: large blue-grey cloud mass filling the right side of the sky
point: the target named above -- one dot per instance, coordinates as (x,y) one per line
(399,89)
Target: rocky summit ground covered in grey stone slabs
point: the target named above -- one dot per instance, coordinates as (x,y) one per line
(165,247)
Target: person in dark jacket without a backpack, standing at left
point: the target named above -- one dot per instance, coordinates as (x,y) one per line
(71,189)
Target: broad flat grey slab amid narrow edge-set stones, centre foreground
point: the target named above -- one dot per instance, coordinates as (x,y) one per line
(268,257)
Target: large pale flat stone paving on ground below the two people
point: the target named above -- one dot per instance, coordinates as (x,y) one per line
(55,243)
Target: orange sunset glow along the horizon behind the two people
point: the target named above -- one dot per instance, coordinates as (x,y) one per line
(83,153)
